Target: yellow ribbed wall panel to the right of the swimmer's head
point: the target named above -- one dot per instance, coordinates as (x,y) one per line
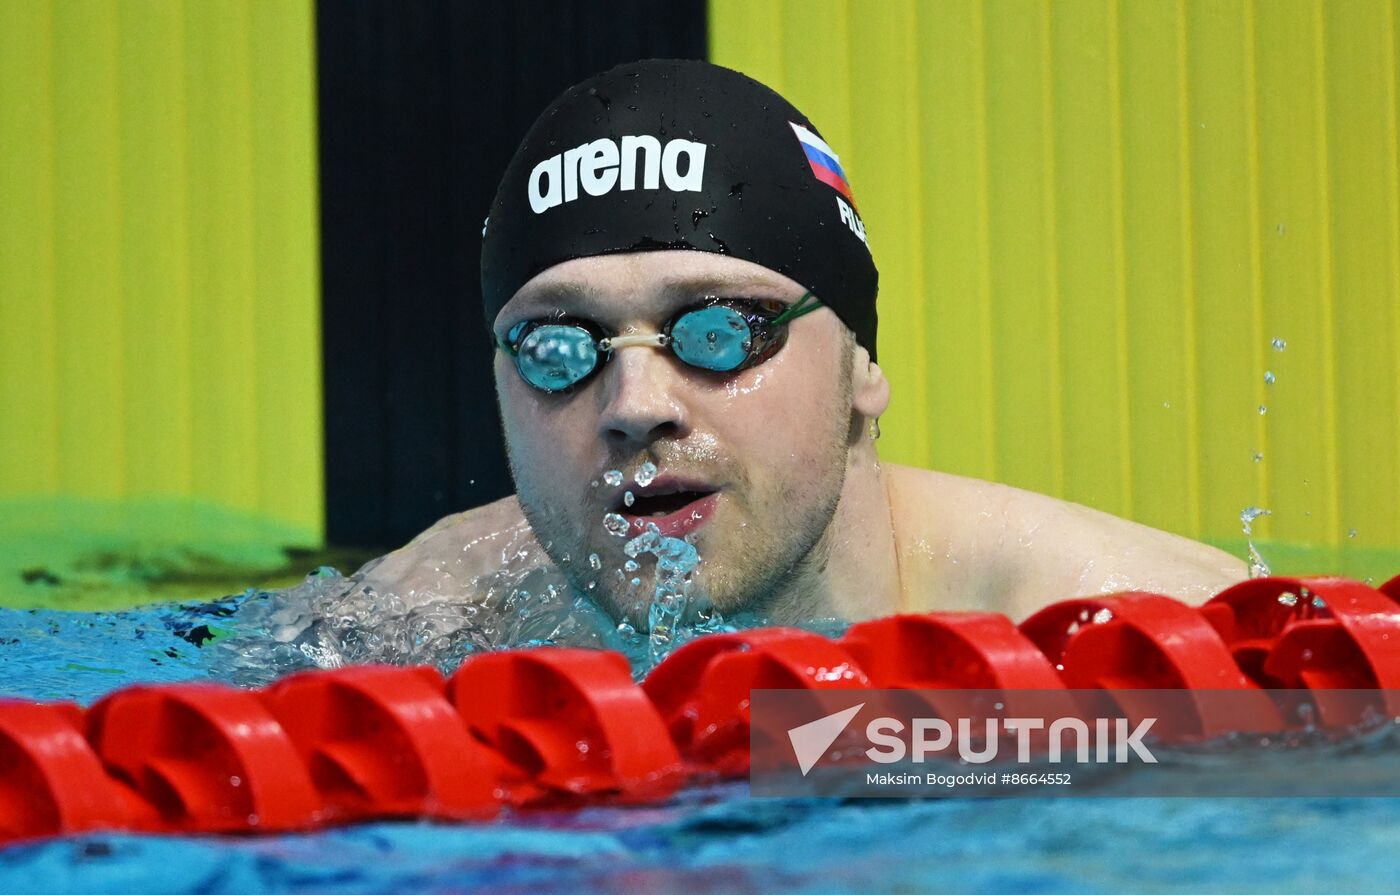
(1091,221)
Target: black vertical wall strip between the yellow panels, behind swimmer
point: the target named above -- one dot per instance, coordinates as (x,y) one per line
(421,107)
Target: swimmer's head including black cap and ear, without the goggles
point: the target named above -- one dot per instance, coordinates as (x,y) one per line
(603,221)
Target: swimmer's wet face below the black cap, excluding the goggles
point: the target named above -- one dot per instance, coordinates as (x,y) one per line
(750,464)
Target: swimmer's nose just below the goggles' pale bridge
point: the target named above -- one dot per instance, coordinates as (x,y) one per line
(643,398)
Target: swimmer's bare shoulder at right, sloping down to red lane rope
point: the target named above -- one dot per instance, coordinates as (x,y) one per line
(1013,551)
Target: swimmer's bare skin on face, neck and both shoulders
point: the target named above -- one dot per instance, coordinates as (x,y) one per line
(771,471)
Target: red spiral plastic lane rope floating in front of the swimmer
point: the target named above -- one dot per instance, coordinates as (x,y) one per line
(563,728)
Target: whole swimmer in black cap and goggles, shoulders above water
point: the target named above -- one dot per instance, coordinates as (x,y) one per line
(675,272)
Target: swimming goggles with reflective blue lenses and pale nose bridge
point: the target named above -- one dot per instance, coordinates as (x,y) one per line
(722,335)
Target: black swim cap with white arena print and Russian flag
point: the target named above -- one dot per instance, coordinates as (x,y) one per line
(681,155)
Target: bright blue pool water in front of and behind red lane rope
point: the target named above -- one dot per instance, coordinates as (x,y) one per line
(706,840)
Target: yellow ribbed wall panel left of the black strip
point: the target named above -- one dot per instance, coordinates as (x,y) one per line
(159,275)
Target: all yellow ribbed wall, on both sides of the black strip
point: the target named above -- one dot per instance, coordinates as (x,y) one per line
(1091,219)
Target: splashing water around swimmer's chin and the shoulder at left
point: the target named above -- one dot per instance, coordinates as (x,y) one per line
(330,620)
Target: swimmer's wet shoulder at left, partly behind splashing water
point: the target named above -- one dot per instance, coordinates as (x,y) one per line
(458,554)
